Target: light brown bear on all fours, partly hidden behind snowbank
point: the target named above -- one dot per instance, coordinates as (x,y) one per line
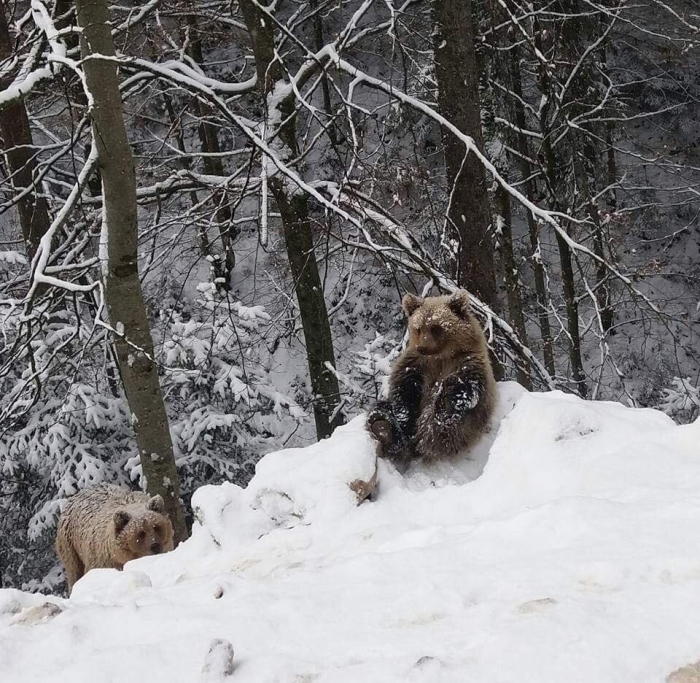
(106,526)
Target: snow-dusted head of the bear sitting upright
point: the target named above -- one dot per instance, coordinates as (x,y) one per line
(443,325)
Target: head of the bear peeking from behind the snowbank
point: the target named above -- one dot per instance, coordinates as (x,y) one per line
(143,529)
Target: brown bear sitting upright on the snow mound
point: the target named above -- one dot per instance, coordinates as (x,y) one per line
(442,392)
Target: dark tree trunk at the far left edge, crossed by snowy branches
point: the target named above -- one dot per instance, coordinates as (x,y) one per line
(19,149)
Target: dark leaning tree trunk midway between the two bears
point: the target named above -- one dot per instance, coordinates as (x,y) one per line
(296,224)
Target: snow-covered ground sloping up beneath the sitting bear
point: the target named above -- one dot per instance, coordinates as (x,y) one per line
(566,550)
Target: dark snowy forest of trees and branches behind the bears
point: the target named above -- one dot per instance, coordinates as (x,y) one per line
(281,174)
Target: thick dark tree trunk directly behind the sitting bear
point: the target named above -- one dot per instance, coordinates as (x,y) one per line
(456,72)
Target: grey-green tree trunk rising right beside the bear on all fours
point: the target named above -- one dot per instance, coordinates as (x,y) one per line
(125,304)
